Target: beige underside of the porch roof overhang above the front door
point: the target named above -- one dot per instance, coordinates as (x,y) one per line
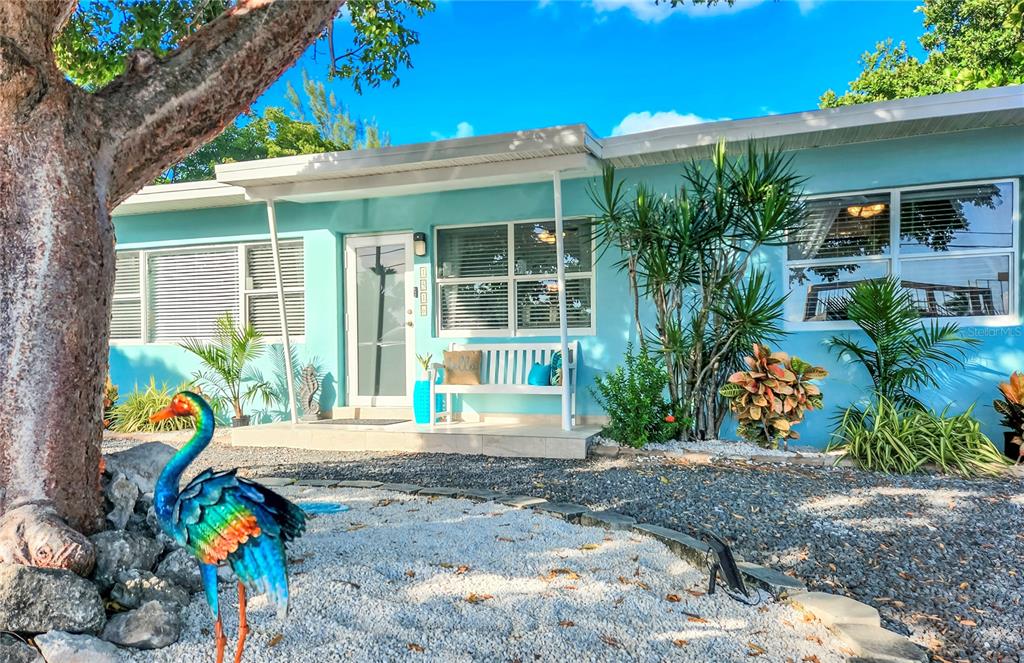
(430,181)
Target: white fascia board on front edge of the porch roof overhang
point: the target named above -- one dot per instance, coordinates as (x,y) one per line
(562,140)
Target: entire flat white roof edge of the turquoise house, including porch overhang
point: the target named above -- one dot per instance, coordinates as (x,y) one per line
(573,150)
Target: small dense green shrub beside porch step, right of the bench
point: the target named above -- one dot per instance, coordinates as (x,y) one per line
(633,395)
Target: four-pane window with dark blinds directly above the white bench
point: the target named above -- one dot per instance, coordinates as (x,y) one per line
(500,280)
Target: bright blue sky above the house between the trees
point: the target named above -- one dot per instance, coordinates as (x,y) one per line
(619,66)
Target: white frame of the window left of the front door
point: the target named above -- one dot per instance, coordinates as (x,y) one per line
(241,248)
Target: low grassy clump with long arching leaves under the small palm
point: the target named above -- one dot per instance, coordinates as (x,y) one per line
(890,438)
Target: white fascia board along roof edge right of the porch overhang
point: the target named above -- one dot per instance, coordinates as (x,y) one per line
(862,115)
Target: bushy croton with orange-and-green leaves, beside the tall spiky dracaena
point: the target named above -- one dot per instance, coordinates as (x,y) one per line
(773,396)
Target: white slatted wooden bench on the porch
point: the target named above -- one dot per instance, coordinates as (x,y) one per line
(505,369)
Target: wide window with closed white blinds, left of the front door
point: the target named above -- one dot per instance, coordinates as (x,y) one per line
(163,297)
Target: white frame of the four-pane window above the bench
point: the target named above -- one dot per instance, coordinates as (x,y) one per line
(511,279)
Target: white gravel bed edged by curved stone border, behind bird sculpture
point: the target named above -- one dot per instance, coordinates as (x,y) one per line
(402,578)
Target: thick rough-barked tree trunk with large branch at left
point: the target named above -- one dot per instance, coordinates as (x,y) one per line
(67,159)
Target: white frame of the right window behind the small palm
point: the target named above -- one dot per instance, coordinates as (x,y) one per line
(895,261)
